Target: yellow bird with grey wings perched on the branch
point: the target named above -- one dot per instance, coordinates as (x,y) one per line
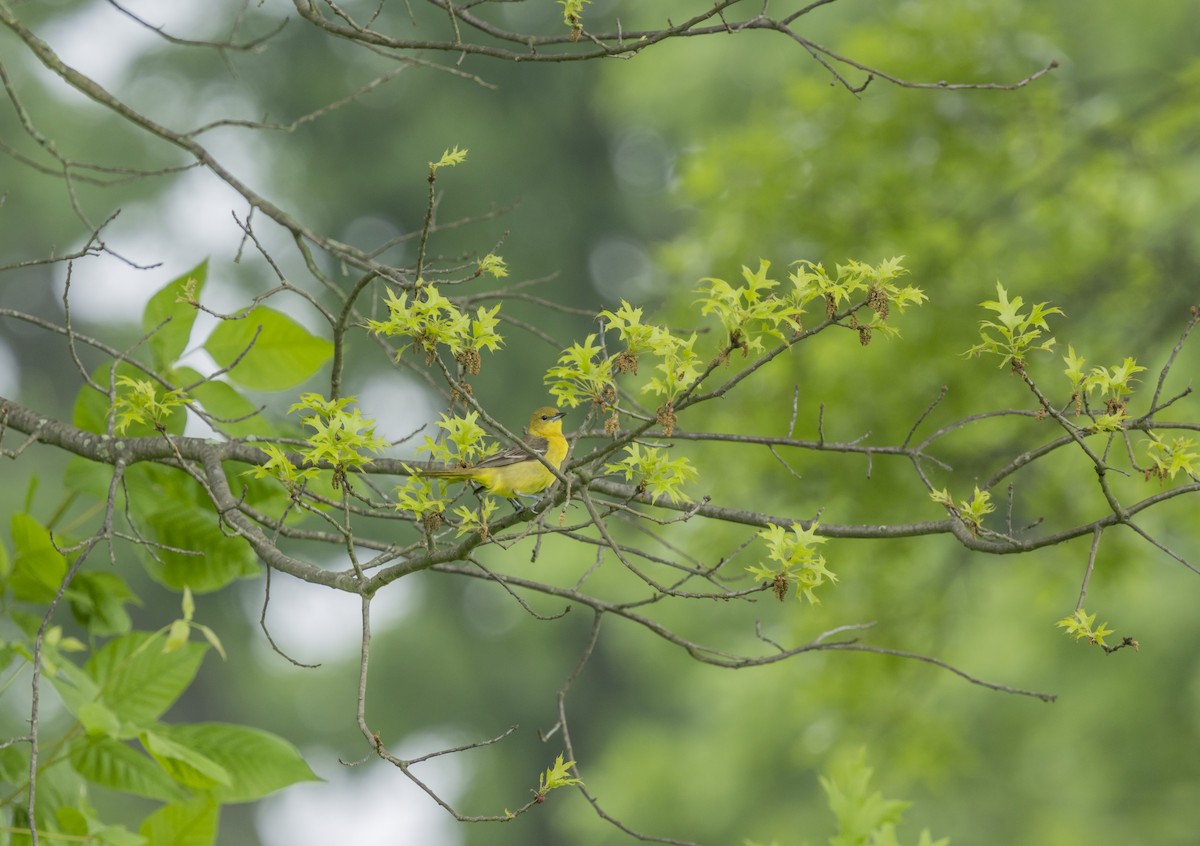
(514,472)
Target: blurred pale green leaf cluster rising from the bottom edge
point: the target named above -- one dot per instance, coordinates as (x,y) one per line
(865,817)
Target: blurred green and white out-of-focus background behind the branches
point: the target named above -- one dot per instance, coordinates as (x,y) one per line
(635,179)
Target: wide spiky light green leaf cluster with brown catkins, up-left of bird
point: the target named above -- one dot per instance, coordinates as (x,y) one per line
(430,320)
